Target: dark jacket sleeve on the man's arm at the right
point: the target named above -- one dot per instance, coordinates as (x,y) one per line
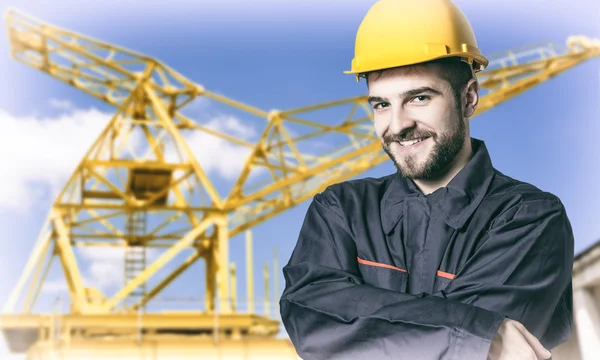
(523,270)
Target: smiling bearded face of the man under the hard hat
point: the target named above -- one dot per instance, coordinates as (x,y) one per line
(418,120)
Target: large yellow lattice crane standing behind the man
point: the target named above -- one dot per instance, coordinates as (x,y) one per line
(140,186)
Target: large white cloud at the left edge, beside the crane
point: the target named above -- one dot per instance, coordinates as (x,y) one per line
(39,153)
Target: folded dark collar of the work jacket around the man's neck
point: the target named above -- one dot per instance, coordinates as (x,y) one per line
(454,203)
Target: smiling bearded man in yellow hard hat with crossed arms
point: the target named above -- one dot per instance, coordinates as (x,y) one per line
(447,258)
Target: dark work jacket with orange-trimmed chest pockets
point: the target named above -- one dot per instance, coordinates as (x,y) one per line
(383,271)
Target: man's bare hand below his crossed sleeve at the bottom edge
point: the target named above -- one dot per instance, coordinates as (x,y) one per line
(513,341)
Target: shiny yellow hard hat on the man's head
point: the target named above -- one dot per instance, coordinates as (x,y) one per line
(405,32)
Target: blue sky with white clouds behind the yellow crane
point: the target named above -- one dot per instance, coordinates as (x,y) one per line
(275,56)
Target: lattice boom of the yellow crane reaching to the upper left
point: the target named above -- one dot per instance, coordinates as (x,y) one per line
(104,71)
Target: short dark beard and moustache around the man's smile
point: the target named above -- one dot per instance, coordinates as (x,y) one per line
(445,149)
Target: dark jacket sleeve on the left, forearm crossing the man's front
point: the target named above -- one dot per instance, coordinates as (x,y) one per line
(329,312)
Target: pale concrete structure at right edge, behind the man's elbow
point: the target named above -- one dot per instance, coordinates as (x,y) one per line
(585,341)
